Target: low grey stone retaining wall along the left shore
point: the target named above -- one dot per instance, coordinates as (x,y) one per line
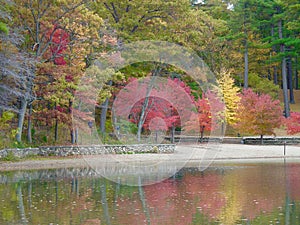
(88,150)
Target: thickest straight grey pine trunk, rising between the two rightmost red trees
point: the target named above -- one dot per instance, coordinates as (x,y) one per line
(283,73)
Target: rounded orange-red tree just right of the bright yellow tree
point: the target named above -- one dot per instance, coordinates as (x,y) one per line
(258,114)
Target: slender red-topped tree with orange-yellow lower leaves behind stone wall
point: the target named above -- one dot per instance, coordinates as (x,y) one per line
(55,82)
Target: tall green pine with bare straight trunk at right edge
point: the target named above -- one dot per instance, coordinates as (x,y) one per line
(276,22)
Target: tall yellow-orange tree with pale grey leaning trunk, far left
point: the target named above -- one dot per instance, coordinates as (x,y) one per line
(36,18)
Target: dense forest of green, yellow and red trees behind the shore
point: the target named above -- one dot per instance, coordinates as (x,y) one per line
(49,48)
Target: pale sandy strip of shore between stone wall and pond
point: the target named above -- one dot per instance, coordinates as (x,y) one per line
(189,155)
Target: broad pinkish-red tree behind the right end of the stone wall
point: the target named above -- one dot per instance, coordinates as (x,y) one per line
(146,99)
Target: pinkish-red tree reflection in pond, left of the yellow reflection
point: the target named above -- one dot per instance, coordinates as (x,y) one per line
(175,202)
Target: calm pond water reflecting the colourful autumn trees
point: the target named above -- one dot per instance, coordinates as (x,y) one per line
(222,194)
